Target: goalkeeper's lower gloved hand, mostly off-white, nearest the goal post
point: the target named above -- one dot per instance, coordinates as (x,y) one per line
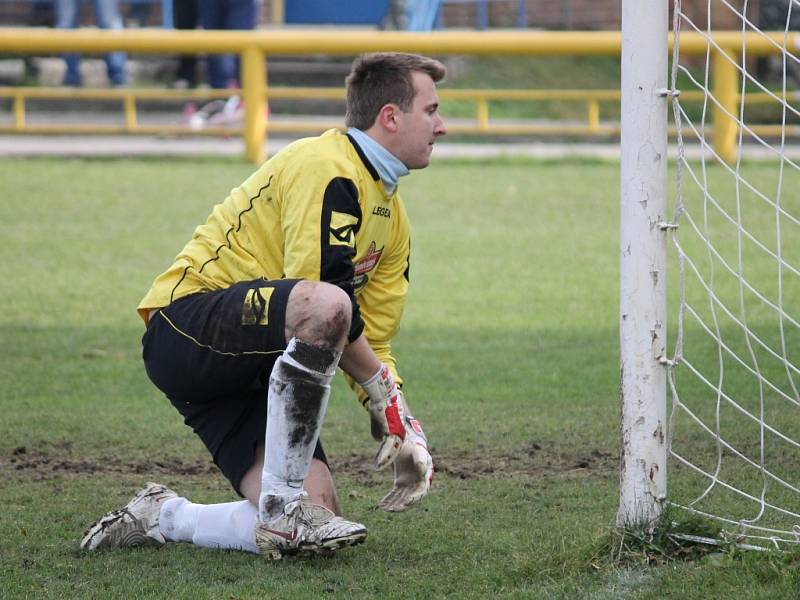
(413,471)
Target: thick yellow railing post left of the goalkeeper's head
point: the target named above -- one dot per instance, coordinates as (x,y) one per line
(254,94)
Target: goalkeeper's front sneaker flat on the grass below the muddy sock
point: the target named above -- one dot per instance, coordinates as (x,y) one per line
(306,528)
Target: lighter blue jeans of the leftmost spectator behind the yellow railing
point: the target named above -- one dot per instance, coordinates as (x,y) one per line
(107,16)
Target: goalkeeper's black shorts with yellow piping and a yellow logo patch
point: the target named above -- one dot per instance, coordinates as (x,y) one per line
(212,354)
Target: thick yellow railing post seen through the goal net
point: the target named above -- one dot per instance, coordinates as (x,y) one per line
(726,127)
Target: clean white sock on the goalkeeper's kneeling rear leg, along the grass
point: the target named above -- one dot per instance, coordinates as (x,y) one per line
(229,526)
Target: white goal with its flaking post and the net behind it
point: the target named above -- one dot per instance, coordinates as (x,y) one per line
(730,437)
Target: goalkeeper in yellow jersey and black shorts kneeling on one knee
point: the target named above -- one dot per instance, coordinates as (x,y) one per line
(304,267)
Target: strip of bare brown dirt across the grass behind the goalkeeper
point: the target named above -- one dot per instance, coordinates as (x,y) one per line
(531,460)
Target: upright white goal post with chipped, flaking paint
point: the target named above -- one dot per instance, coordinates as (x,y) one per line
(643,187)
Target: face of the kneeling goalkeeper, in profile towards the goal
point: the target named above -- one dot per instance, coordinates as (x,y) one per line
(418,128)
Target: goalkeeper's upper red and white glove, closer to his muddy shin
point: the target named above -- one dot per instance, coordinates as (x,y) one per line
(386,416)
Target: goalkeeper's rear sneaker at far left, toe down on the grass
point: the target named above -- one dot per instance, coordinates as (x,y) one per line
(134,525)
